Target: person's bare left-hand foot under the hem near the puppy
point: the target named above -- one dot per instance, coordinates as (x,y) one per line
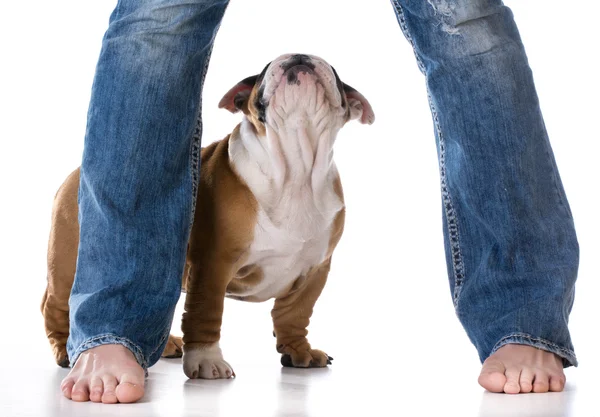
(106,373)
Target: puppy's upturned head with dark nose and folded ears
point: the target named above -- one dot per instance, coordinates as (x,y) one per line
(297,90)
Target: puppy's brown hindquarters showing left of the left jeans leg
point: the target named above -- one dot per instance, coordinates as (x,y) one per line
(62,258)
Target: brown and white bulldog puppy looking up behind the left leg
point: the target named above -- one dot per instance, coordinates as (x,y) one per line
(269,213)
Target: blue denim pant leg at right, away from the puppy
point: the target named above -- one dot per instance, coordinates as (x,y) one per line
(511,249)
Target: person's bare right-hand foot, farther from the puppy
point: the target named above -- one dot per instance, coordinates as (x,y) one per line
(517,369)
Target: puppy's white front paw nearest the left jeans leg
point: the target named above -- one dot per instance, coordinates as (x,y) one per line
(206,363)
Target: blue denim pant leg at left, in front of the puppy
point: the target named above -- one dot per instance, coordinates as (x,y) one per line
(139,173)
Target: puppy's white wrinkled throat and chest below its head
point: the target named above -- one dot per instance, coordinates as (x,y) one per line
(293,179)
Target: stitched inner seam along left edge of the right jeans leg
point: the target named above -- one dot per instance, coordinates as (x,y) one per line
(458,267)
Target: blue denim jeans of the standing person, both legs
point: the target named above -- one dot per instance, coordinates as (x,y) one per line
(511,248)
